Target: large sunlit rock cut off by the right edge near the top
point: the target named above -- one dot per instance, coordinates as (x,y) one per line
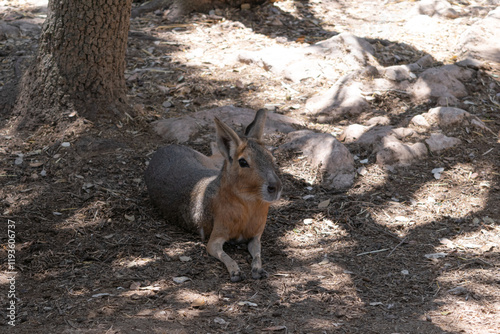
(480,41)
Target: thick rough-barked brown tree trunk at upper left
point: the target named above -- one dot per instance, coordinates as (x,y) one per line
(80,63)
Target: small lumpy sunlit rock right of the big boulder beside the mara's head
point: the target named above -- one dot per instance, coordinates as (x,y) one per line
(393,152)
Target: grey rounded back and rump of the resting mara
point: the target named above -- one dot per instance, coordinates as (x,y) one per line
(181,183)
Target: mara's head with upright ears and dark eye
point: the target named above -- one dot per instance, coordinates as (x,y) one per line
(249,166)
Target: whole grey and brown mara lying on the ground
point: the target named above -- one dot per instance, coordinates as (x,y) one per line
(230,205)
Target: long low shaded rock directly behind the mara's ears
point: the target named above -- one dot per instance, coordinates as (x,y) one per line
(186,128)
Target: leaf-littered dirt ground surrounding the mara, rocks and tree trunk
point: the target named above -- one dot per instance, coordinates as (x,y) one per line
(94,256)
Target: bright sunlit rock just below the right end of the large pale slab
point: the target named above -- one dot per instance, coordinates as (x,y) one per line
(343,98)
